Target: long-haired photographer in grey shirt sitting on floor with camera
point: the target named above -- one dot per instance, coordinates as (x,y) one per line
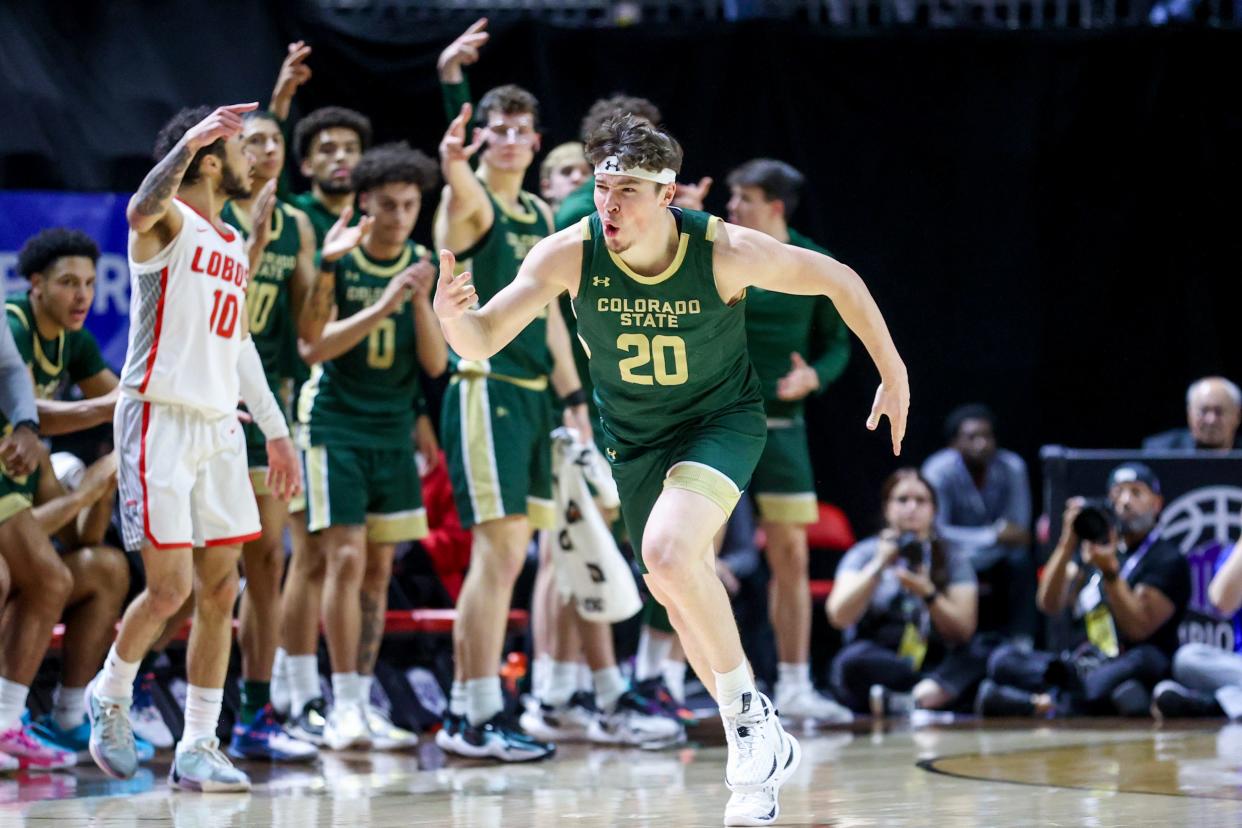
(909,605)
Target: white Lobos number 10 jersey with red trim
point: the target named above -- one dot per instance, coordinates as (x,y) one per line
(186,318)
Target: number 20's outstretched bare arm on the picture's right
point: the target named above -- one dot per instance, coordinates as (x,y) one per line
(745,258)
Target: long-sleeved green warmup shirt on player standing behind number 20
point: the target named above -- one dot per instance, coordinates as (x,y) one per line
(779,325)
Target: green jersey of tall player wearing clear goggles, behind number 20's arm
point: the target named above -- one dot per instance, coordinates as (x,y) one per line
(494,264)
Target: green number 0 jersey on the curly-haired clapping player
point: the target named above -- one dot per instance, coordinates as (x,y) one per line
(366,397)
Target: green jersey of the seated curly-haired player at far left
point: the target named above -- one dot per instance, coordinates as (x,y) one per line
(70,358)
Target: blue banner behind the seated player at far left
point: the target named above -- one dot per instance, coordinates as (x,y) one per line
(100,215)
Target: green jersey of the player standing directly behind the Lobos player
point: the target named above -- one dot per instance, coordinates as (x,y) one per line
(269,297)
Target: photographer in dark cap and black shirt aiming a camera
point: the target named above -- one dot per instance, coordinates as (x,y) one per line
(1127,590)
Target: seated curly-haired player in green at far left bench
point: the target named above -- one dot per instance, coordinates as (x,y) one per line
(49,328)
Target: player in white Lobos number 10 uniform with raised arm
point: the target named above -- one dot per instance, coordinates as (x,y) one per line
(187,501)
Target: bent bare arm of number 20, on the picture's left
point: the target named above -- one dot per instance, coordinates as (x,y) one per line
(551,268)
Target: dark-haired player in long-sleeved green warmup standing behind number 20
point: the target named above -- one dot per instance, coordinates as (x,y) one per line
(798,346)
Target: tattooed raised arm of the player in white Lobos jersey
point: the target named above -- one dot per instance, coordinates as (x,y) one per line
(148,214)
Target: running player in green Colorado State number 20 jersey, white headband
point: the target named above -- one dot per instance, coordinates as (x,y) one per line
(660,300)
